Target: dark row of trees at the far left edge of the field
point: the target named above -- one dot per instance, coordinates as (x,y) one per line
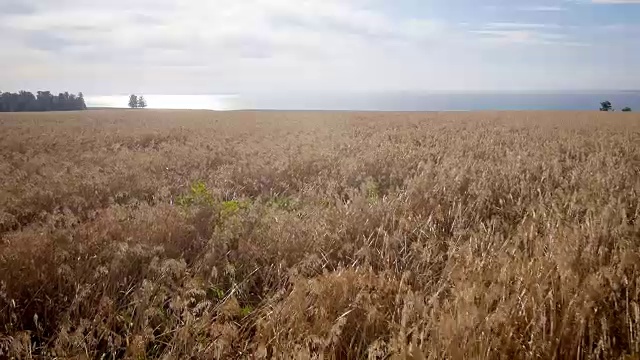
(42,101)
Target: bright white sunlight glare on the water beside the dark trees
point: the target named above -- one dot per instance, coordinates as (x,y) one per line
(195,102)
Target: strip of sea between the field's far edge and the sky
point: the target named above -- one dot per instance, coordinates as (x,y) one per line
(384,101)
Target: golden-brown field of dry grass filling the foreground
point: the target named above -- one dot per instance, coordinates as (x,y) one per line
(183,234)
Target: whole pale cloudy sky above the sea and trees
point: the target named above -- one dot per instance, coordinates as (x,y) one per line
(240,46)
